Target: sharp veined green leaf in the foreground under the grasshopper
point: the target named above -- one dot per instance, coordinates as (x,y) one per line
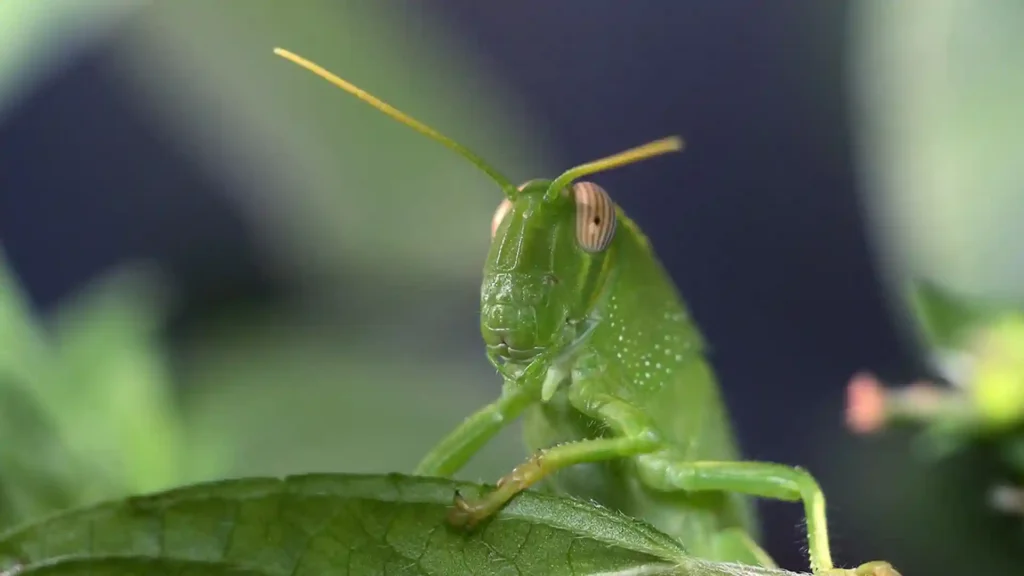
(345,524)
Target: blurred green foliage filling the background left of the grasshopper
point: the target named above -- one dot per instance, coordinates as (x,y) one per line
(379,358)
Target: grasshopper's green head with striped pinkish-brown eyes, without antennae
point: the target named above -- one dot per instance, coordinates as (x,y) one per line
(546,267)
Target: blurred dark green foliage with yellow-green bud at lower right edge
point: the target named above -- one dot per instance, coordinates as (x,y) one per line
(924,493)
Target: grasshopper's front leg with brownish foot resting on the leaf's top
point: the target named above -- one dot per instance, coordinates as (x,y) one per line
(545,463)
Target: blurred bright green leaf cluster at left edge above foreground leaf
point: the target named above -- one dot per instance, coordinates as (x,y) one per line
(87,410)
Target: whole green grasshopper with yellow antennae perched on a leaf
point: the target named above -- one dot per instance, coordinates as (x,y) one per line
(598,349)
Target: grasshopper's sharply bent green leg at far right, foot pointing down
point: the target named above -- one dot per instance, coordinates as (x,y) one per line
(763,480)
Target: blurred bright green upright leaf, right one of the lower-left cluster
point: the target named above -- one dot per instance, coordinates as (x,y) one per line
(117,394)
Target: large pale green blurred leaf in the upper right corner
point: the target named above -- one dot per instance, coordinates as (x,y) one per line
(942,131)
